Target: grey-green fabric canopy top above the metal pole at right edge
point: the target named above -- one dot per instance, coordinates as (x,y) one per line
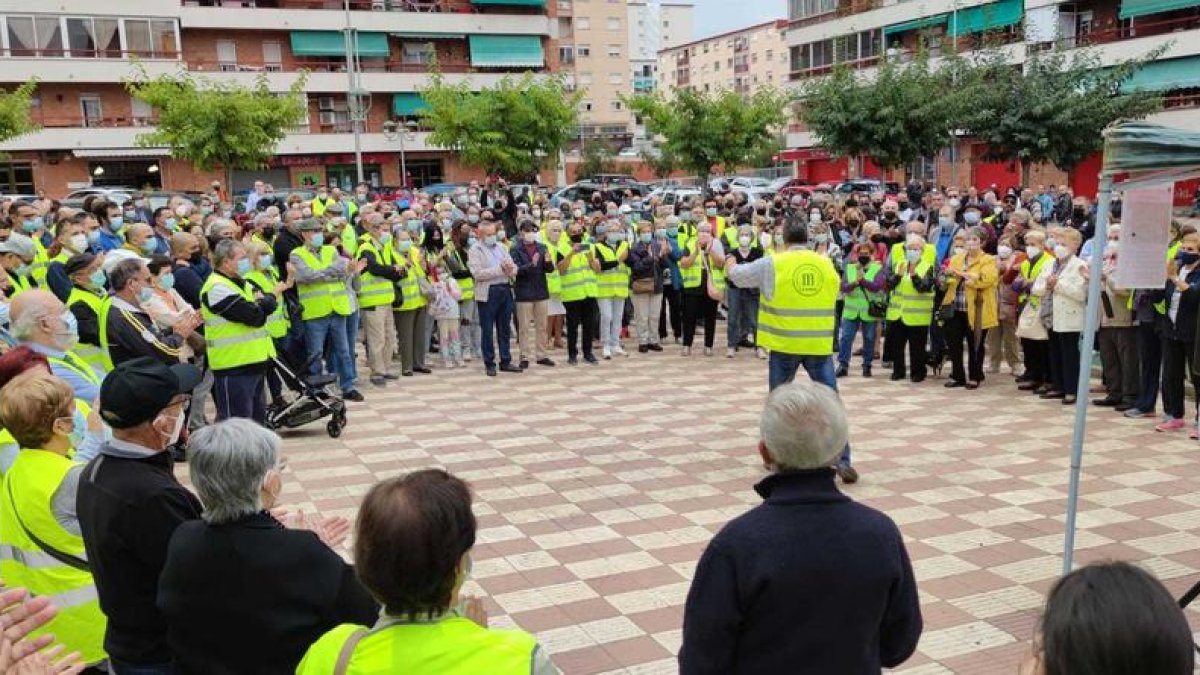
(1142,147)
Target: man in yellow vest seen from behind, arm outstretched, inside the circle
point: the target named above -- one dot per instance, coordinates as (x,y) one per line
(797,314)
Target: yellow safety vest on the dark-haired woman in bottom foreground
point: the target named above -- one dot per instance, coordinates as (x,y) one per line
(451,647)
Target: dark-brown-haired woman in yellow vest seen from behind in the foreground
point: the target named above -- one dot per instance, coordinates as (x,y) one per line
(416,561)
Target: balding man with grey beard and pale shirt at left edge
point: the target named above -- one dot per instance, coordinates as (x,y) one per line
(44,324)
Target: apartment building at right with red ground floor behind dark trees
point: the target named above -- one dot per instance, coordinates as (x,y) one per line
(824,34)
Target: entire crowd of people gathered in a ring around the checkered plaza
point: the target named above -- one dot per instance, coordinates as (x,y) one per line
(118,324)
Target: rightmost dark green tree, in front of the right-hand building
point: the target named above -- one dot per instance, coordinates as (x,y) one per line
(1055,110)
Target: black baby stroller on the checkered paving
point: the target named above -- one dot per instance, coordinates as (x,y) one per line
(307,398)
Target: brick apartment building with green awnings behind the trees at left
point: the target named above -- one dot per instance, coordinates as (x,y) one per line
(81,51)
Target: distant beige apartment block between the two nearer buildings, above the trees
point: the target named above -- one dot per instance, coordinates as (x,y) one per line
(742,61)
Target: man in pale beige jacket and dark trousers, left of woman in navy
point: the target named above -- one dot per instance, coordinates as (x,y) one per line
(494,270)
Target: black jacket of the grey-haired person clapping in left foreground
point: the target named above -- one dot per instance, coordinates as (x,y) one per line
(253,596)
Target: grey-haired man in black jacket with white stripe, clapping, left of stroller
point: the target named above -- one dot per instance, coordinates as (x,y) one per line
(128,331)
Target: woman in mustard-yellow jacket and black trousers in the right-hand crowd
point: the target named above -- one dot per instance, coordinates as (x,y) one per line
(969,308)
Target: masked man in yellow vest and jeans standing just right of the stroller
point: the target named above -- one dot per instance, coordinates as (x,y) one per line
(326,304)
